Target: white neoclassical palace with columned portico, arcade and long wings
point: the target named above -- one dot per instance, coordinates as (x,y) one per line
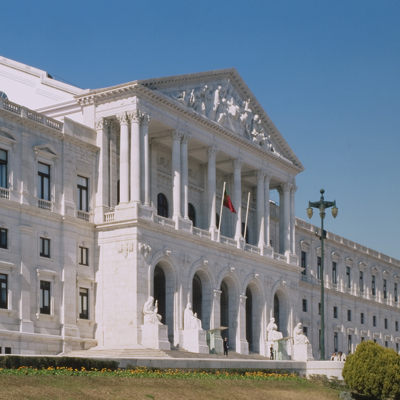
(113,195)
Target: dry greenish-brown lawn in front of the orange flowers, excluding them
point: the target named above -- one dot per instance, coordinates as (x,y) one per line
(108,387)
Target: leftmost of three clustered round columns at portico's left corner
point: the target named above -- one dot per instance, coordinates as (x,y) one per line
(123,158)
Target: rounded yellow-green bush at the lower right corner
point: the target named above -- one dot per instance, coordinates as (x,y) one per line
(373,371)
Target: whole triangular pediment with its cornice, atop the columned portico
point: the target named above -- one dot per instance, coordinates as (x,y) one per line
(223,97)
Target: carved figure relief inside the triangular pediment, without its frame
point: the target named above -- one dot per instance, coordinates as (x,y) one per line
(221,104)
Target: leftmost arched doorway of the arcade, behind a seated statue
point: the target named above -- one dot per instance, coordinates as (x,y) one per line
(164,289)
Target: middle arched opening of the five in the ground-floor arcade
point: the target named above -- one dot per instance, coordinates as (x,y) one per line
(229,307)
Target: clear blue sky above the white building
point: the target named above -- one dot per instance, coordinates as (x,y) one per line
(326,72)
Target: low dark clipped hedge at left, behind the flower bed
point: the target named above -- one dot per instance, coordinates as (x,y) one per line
(46,362)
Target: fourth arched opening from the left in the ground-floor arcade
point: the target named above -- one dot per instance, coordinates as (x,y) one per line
(254,314)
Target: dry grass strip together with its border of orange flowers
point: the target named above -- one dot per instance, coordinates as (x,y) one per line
(140,383)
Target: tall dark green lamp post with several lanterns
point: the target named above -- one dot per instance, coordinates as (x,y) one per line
(322,205)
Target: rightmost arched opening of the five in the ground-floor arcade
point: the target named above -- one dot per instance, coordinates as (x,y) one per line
(281,309)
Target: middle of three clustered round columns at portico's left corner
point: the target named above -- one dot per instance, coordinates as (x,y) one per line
(135,118)
